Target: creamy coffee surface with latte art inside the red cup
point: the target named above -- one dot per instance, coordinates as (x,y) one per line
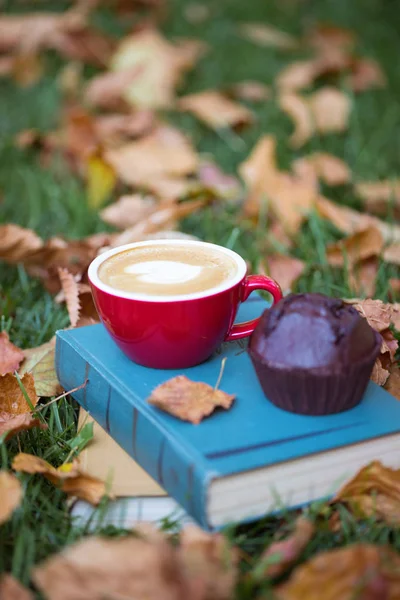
(167,270)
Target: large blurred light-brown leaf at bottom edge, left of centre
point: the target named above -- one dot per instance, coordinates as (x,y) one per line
(143,566)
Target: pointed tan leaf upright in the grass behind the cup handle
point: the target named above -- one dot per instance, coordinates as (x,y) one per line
(288,196)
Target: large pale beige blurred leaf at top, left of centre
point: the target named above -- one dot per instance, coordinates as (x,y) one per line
(160,66)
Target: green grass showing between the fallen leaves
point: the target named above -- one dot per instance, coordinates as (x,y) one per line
(52,201)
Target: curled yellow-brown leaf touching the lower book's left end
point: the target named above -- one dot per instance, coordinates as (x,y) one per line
(68,477)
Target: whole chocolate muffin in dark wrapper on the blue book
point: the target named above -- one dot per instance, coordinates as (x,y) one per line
(313,354)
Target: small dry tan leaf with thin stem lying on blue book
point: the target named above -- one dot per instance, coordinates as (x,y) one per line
(189,400)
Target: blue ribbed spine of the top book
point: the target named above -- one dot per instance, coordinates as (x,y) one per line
(179,471)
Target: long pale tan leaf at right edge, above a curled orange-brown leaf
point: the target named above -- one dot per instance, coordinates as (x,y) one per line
(349,220)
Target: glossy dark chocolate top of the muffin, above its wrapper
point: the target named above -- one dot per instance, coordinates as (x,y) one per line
(311,331)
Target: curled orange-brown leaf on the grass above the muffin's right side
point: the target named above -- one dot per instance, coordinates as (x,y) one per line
(363,244)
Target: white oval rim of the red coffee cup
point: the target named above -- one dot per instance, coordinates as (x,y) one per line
(96,281)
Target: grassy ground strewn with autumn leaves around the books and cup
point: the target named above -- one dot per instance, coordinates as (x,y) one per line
(268,127)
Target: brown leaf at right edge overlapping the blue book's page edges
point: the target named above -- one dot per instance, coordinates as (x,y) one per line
(373,491)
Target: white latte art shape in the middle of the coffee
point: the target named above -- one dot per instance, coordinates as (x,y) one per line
(164,271)
